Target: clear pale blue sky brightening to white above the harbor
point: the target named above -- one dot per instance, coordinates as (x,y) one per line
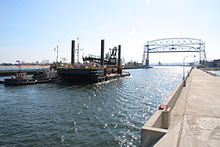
(30,29)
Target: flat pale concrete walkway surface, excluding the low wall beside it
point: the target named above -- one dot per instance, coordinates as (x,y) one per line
(195,118)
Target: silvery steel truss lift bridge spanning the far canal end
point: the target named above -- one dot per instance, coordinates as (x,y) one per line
(172,45)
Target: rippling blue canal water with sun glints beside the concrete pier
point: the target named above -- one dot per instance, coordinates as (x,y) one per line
(104,114)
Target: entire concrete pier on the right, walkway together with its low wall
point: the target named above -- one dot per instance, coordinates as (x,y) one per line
(192,117)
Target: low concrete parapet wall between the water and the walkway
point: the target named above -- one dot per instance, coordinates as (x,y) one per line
(156,127)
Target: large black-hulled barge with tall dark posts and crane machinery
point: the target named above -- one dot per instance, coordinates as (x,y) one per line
(94,69)
